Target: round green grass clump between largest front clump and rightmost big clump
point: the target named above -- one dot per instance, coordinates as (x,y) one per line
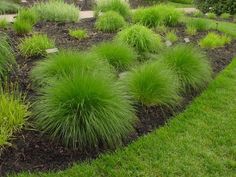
(153,84)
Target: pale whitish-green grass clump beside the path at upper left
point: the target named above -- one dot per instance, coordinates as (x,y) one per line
(58,11)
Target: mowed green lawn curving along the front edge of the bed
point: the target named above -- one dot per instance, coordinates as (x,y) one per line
(201,141)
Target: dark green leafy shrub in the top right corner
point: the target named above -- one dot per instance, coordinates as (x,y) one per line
(218,7)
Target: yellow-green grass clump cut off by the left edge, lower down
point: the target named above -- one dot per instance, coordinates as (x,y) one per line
(12,115)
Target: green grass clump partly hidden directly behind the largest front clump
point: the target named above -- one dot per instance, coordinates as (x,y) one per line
(64,63)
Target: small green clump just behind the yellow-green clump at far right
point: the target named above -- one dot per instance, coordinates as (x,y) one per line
(198,24)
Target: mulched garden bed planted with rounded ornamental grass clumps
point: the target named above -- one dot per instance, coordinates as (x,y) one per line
(179,57)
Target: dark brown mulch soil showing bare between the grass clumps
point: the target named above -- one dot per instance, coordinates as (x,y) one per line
(33,151)
